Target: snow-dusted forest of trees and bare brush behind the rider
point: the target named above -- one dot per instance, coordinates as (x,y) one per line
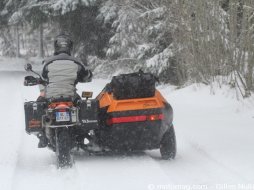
(181,41)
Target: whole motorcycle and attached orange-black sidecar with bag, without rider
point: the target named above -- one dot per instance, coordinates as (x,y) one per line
(129,114)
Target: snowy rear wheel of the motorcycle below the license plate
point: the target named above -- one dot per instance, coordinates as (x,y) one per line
(63,148)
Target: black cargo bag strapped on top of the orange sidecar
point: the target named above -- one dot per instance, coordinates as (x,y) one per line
(133,85)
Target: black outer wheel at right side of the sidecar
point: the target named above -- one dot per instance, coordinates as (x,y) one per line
(168,145)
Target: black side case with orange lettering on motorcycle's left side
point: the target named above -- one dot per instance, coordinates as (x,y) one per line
(33,116)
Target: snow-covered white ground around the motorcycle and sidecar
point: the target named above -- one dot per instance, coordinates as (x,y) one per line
(215,138)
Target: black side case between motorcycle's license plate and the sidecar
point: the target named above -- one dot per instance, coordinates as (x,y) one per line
(88,115)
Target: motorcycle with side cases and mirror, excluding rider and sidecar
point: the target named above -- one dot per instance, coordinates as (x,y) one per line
(66,123)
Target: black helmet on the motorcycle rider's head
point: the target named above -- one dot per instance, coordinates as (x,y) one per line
(63,44)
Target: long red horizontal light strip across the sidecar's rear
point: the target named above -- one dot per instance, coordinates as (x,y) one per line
(131,119)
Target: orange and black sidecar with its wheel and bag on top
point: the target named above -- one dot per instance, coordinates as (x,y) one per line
(141,121)
